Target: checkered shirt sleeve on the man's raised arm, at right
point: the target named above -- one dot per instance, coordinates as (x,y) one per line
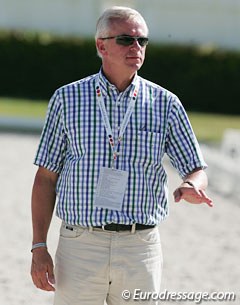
(182,146)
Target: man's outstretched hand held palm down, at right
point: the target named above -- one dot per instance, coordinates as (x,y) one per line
(191,195)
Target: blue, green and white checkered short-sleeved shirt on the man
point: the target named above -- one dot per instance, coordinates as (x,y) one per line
(75,145)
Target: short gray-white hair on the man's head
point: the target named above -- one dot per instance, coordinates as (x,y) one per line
(116,13)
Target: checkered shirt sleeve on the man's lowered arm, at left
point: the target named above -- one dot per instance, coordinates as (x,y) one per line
(52,146)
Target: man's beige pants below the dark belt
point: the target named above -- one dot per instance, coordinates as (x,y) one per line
(97,266)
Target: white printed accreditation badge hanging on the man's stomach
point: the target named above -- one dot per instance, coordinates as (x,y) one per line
(111,188)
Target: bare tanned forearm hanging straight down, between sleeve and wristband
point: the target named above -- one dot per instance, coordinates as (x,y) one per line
(43,202)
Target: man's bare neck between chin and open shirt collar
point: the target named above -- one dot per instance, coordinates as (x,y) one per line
(120,81)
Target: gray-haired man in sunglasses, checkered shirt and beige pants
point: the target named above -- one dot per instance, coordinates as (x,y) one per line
(101,152)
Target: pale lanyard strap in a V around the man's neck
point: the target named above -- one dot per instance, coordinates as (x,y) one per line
(124,123)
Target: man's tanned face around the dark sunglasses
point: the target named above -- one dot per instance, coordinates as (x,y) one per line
(124,58)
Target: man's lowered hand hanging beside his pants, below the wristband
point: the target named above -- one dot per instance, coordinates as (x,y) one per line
(42,270)
